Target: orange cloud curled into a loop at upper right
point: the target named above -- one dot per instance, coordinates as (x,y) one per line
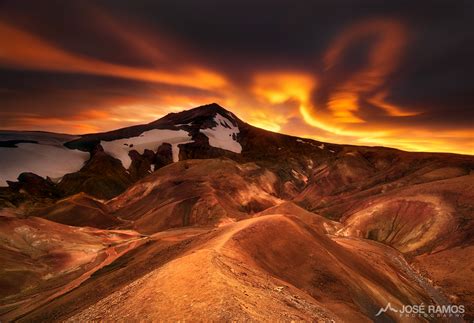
(366,83)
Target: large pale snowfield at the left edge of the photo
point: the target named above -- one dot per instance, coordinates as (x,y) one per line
(47,158)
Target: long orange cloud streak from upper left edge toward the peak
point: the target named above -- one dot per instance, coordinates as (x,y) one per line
(23,50)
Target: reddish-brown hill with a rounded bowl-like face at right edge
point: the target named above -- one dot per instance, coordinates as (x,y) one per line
(420,218)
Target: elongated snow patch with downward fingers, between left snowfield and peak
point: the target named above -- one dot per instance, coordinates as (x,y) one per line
(150,139)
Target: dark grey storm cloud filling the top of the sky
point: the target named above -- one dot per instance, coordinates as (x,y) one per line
(244,34)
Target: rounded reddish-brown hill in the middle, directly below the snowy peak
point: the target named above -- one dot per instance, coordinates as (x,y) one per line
(196,192)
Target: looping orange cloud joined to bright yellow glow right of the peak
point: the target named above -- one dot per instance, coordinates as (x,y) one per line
(338,119)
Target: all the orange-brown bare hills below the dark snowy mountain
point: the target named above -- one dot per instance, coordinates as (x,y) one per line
(209,251)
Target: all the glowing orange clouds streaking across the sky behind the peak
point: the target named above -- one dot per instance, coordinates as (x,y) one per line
(353,105)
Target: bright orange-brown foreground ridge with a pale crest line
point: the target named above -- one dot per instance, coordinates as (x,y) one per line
(271,267)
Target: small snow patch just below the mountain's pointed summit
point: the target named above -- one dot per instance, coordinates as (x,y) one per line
(223,134)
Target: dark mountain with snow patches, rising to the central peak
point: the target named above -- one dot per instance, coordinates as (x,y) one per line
(204,132)
